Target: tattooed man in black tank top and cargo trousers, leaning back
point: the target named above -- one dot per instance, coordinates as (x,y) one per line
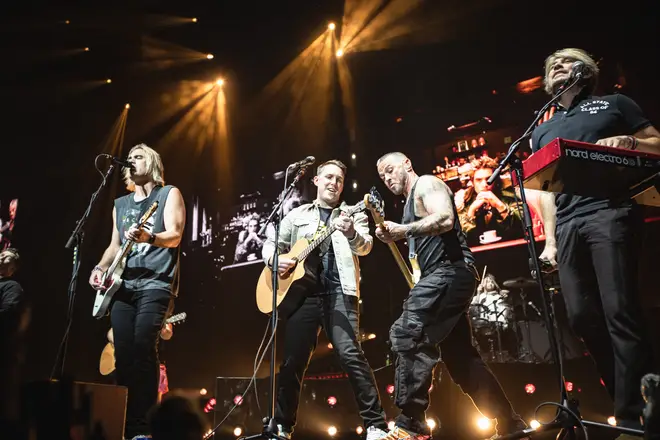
(434,317)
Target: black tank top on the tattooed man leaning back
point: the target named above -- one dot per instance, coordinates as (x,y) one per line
(433,250)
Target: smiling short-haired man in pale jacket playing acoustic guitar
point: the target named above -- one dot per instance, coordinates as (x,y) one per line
(330,289)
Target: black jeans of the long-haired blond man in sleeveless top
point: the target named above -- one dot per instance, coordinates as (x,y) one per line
(137,317)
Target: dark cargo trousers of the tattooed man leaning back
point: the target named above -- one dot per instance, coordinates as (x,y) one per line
(435,321)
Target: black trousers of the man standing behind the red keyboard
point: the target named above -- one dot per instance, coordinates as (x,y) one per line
(597,256)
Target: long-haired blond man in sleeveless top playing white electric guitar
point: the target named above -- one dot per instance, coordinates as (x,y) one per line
(149,280)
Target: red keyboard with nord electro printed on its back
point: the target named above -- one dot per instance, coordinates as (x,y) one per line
(585,169)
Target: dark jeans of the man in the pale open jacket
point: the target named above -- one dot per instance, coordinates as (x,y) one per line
(338,315)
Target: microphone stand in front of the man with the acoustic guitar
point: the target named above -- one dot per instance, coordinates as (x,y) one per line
(275,217)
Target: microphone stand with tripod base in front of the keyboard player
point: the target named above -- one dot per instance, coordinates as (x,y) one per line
(568,416)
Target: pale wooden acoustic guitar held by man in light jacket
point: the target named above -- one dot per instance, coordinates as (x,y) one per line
(300,250)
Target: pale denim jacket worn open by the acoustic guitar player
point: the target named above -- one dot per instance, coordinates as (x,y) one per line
(303,222)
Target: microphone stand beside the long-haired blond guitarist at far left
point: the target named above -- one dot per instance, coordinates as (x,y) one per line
(75,242)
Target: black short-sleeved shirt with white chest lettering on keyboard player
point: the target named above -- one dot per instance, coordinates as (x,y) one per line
(589,119)
